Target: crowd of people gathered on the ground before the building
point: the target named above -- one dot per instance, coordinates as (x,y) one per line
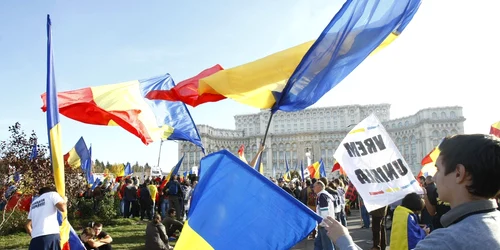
(462,195)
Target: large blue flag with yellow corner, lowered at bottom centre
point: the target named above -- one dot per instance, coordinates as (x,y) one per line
(254,213)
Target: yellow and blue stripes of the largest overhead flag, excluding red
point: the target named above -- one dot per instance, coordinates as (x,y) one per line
(309,70)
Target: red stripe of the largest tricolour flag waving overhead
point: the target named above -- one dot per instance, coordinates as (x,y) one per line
(187,90)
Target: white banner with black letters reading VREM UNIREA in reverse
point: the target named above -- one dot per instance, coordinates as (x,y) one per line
(374,165)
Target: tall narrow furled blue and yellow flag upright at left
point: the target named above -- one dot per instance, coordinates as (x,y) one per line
(69,239)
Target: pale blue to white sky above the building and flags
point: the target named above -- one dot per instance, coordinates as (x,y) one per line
(446,56)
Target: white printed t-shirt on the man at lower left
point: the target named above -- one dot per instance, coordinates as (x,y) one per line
(43,214)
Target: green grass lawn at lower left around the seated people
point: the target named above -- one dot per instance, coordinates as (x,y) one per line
(124,237)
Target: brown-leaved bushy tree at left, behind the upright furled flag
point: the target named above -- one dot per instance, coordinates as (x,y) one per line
(35,174)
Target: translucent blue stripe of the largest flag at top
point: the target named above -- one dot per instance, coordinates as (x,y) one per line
(357,30)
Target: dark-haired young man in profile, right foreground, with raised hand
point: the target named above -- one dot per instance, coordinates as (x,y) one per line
(468,170)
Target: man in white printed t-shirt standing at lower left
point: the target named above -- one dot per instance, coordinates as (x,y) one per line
(43,225)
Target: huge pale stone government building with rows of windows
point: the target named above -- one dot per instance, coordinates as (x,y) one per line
(319,131)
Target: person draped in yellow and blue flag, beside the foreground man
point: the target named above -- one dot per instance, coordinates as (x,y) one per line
(406,232)
